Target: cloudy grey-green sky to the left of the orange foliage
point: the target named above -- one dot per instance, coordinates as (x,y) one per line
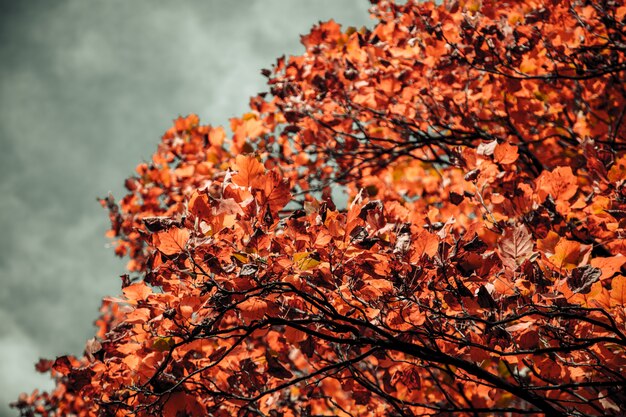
(86,90)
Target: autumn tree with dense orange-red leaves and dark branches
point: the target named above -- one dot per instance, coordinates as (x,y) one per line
(477,269)
